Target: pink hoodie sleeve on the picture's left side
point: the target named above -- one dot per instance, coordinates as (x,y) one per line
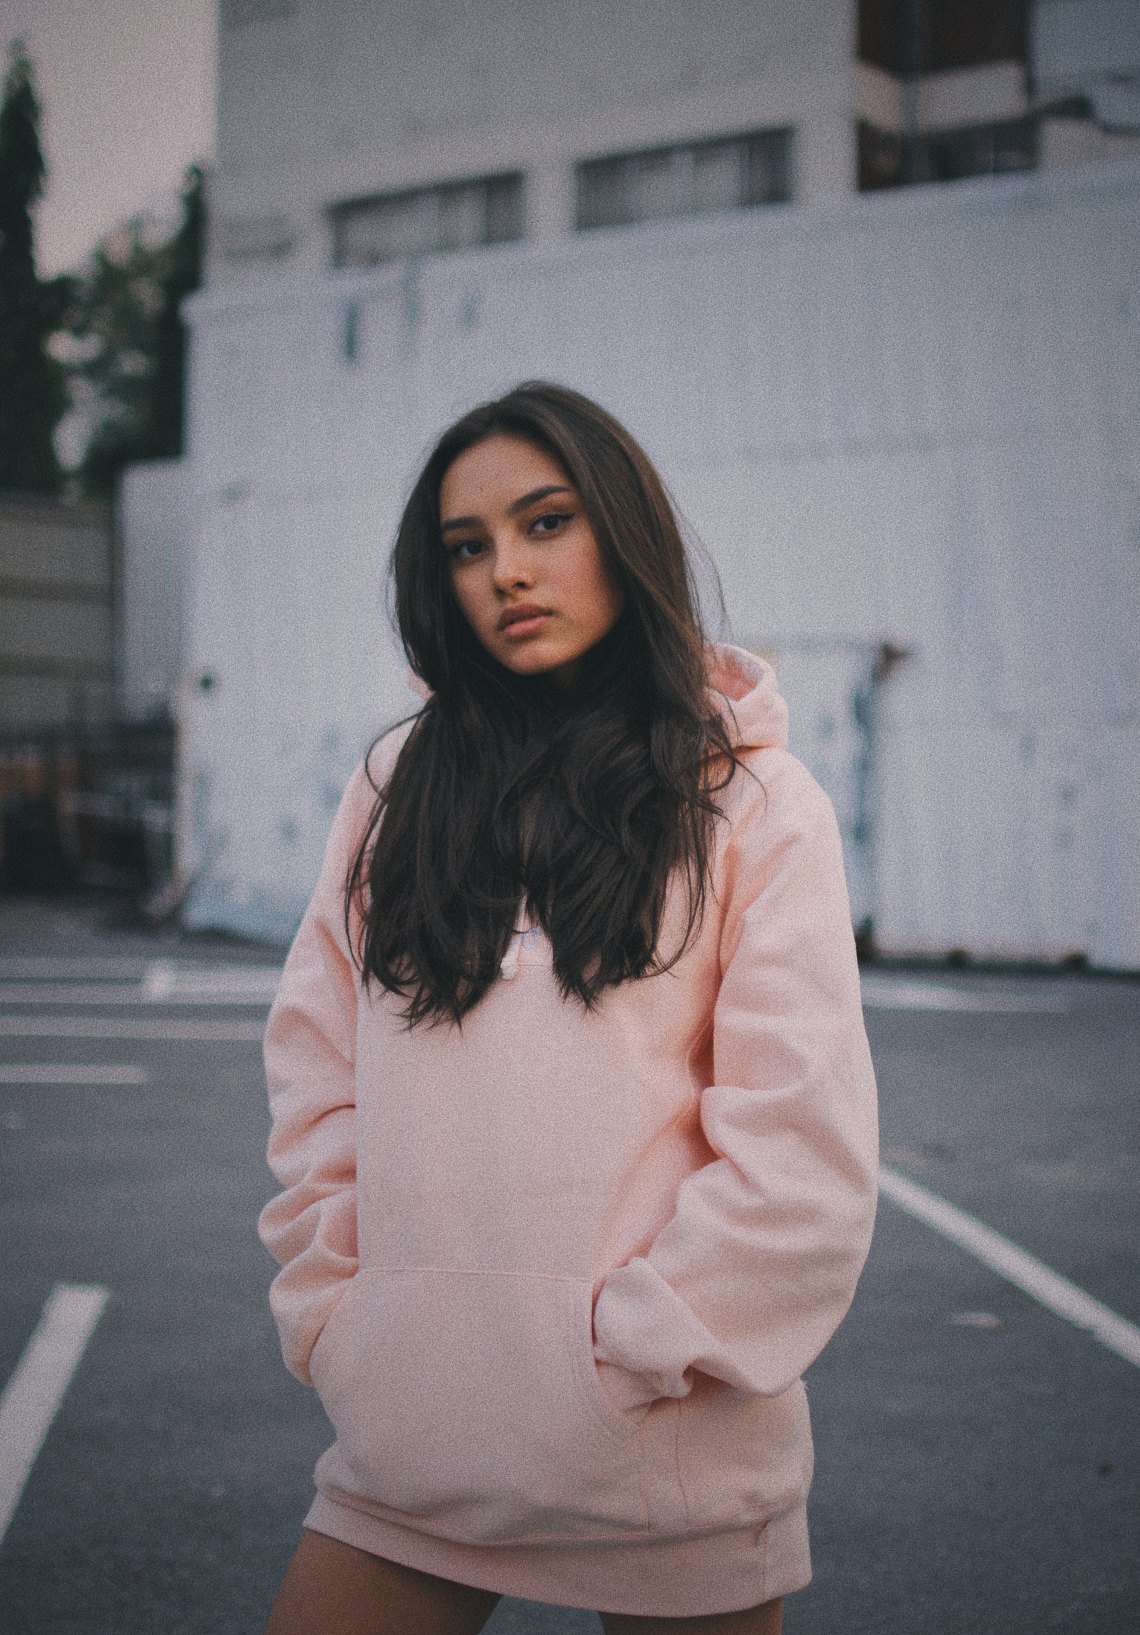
(310,1067)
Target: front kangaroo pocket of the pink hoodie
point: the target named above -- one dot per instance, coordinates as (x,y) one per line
(470,1402)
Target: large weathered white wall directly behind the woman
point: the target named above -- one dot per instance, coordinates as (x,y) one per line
(910,419)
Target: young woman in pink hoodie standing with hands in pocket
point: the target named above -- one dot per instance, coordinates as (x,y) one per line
(573,1108)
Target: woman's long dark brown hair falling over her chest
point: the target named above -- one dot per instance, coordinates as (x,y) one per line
(614,777)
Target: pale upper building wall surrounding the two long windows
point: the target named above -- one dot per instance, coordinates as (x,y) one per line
(331,101)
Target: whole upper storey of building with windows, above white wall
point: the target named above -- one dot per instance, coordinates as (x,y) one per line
(356,133)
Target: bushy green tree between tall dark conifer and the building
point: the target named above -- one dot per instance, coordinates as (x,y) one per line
(130,344)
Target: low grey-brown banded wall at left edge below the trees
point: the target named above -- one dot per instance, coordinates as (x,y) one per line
(56,616)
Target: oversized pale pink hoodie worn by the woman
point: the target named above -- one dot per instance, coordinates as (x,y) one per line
(557,1274)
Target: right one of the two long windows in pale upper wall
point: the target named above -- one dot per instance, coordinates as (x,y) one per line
(693,179)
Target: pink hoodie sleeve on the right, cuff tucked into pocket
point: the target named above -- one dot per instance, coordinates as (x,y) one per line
(760,1261)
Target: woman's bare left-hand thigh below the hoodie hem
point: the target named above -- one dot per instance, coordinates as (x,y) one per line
(333,1588)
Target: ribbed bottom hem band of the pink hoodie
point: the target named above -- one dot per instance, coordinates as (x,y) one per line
(716,1574)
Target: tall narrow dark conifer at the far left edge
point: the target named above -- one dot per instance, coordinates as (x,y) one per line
(34,385)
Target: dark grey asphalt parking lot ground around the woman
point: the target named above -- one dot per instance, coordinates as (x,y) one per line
(979,1454)
